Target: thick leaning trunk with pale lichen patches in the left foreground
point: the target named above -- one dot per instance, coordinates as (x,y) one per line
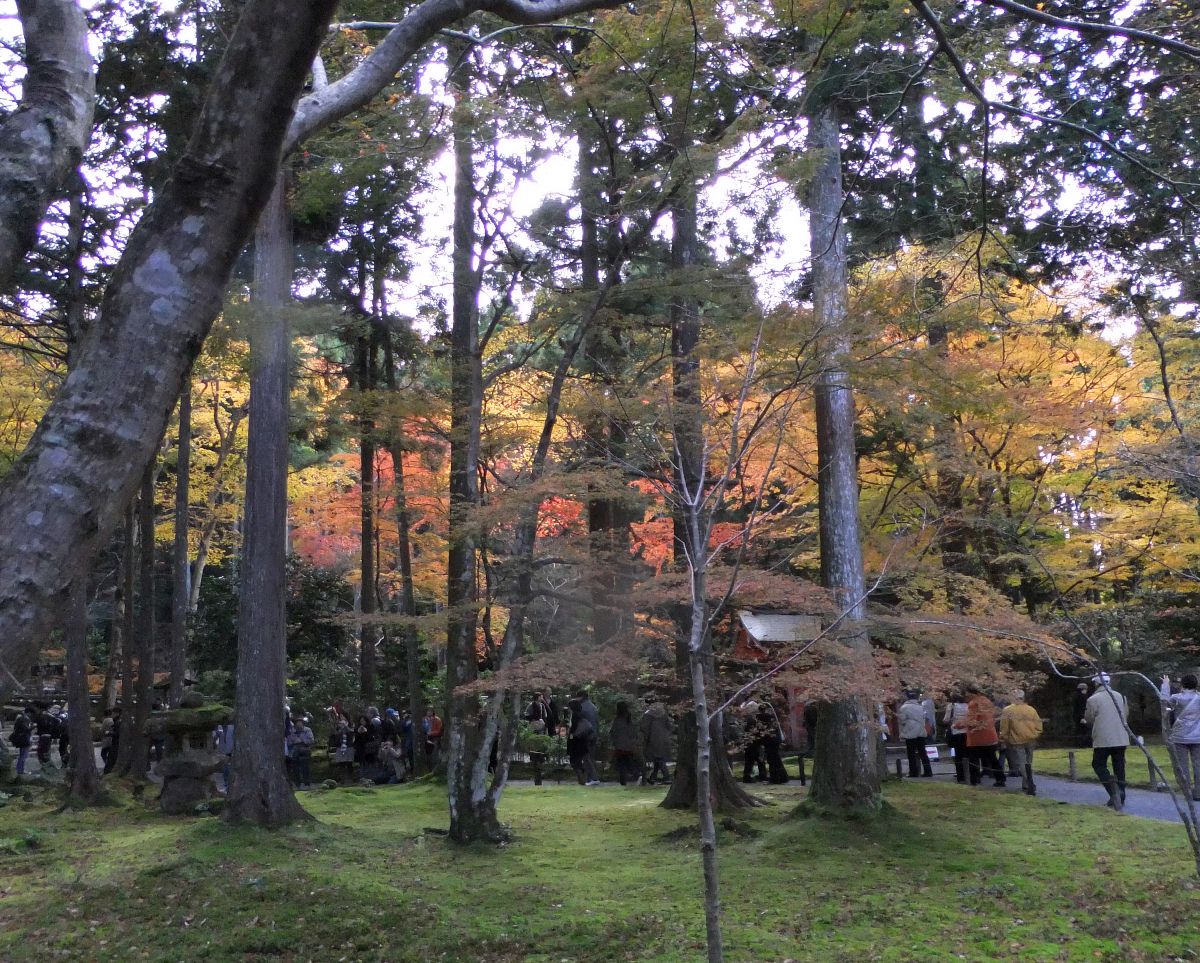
(67,494)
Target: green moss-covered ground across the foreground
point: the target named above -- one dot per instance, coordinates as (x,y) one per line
(597,875)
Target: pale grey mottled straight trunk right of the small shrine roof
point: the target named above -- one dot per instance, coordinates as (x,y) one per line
(845,757)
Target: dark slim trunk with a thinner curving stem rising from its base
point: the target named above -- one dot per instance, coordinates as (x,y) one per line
(472,815)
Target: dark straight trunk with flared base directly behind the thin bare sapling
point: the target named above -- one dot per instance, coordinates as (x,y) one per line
(688,464)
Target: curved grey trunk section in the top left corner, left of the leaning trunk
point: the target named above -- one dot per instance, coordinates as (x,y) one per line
(44,140)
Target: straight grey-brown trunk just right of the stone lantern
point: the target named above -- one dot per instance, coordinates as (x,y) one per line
(261,793)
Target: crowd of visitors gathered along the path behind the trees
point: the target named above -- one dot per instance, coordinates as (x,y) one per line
(988,738)
